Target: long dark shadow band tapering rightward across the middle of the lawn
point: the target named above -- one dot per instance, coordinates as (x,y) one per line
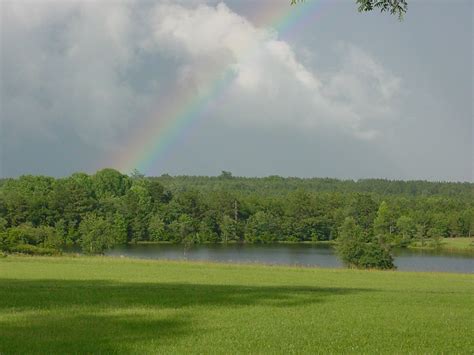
(33,294)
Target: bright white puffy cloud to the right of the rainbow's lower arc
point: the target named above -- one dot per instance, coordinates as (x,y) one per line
(271,85)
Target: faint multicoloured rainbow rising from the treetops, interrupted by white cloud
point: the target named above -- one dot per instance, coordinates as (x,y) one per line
(184,107)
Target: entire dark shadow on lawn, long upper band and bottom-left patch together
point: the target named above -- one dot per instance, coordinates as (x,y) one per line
(102,316)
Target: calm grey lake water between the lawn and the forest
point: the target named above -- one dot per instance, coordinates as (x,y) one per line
(292,254)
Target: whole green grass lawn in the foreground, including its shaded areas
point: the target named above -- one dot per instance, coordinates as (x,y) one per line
(112,305)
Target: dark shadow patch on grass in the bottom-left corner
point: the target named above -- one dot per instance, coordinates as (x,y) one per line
(83,332)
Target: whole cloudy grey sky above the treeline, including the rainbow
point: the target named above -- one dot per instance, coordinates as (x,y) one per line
(196,87)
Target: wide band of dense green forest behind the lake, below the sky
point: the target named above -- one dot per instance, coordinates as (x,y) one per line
(45,215)
